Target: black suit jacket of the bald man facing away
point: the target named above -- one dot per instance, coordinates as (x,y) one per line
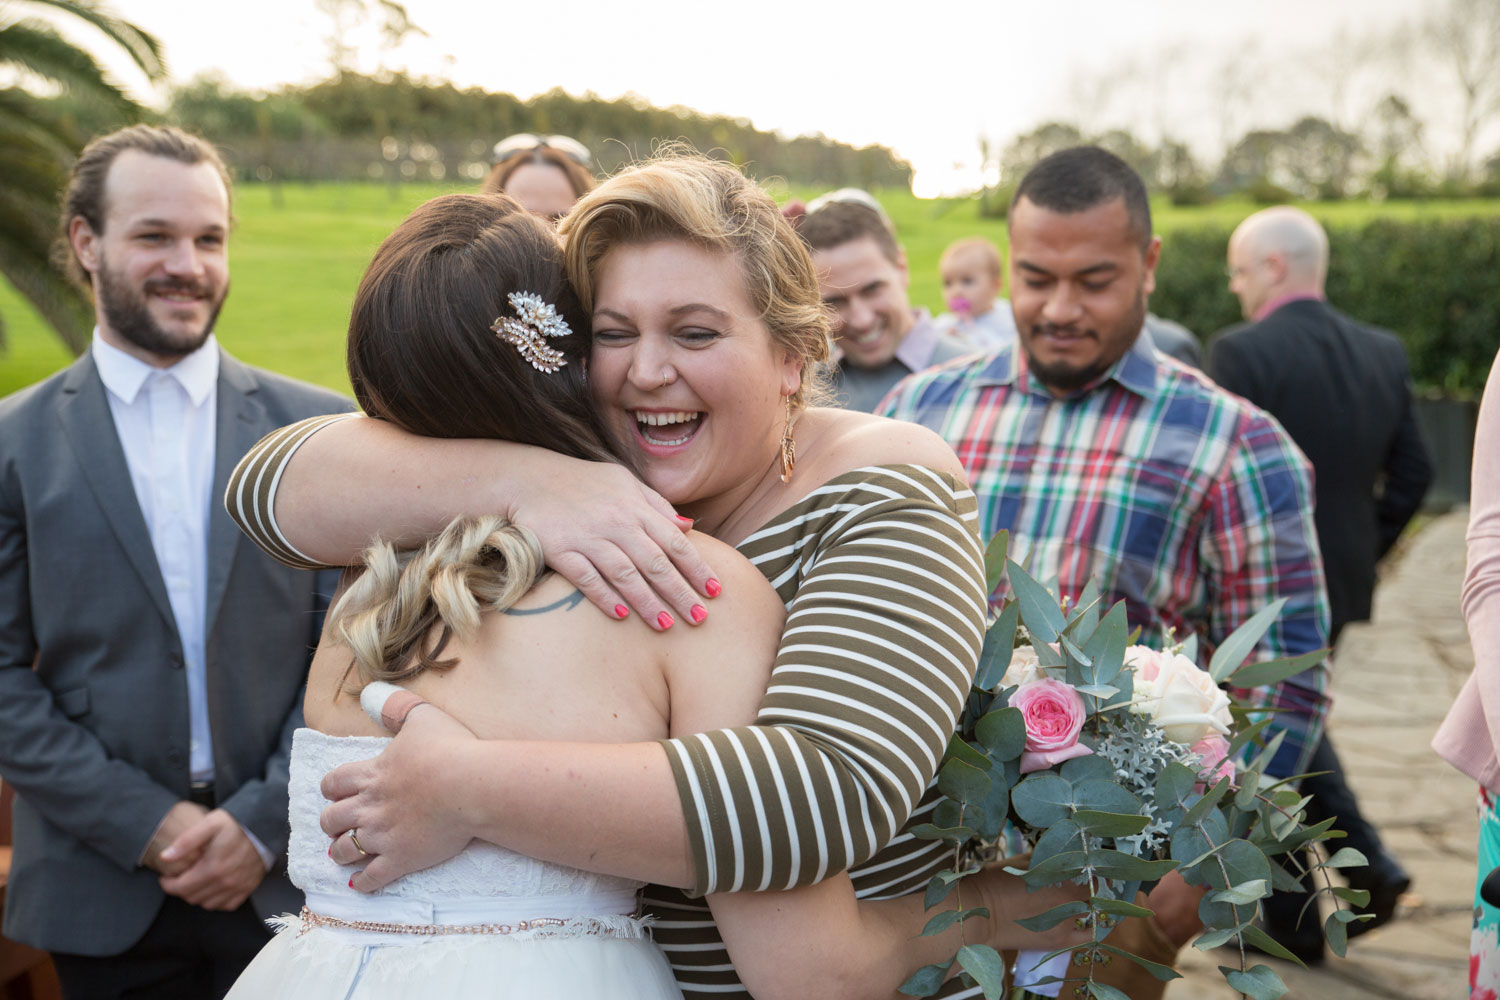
(1342,392)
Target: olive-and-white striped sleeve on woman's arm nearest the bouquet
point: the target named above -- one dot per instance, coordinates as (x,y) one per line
(886,618)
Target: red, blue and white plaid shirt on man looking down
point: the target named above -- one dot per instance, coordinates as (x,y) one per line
(1187,503)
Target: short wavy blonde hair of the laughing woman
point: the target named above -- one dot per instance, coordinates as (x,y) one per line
(683,196)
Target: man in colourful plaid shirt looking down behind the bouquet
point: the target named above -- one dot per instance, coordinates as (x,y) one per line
(1108,460)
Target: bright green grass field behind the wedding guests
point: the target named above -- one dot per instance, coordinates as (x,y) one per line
(296,265)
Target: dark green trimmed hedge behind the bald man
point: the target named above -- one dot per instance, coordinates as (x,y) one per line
(1435,284)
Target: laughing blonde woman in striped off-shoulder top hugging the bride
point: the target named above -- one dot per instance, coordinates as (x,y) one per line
(709,332)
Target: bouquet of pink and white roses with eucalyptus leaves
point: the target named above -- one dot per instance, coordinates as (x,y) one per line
(1118,765)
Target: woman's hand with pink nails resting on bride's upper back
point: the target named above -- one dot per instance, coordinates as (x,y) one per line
(617,542)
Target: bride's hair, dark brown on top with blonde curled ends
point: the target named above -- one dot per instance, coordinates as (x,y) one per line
(422,355)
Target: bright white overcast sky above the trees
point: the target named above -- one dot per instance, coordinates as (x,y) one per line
(926,82)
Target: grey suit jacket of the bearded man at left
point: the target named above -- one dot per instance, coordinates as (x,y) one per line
(94,701)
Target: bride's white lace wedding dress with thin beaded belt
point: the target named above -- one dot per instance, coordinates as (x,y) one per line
(587,944)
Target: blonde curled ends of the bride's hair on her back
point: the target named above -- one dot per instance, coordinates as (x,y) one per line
(389,617)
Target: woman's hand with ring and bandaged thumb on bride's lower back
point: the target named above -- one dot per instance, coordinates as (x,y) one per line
(406,815)
